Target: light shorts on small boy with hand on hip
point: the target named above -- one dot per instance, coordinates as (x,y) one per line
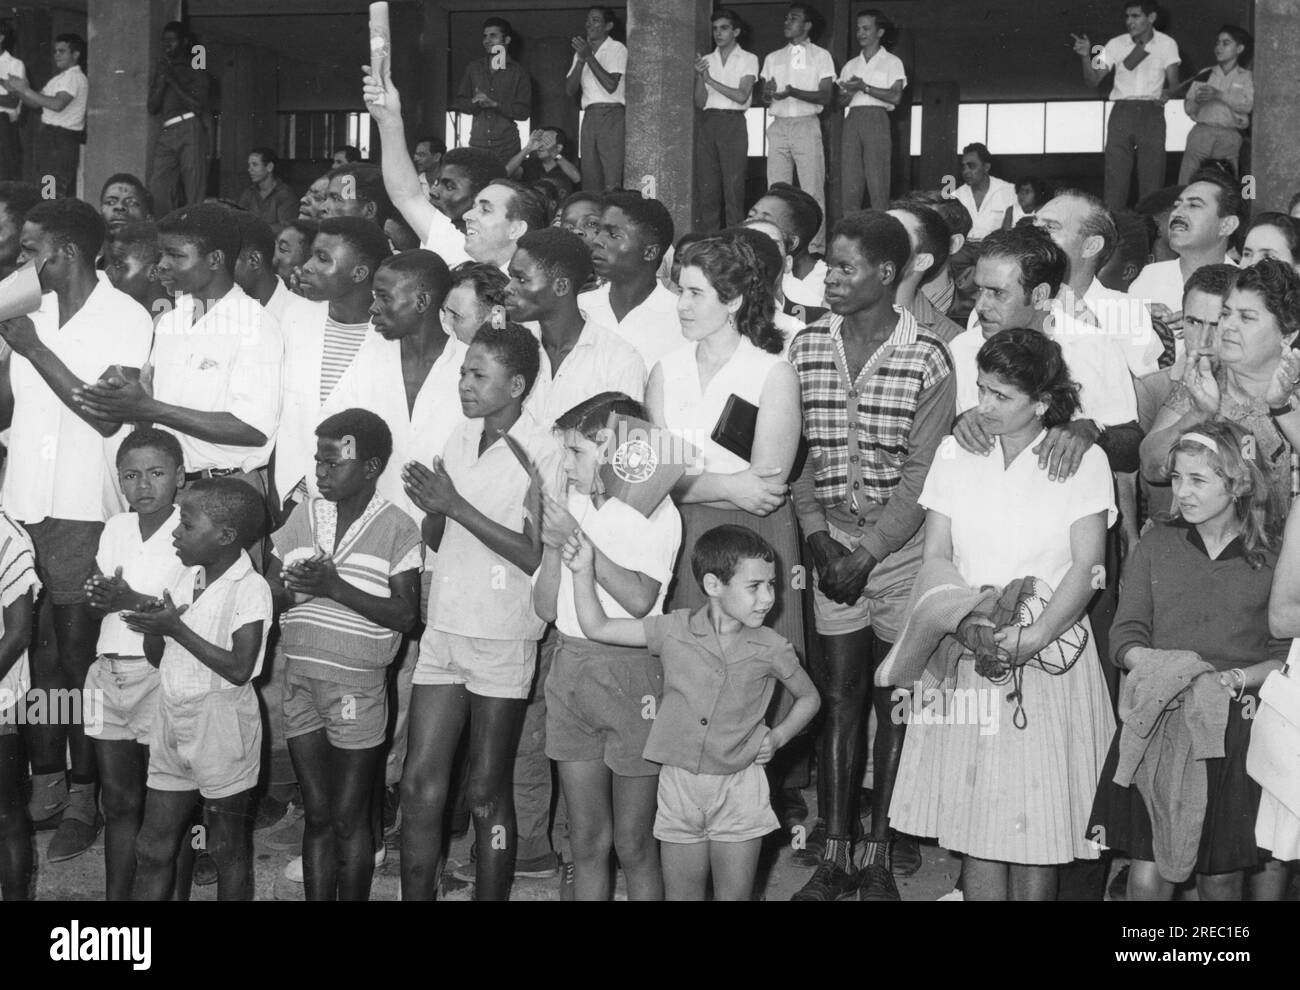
(714,807)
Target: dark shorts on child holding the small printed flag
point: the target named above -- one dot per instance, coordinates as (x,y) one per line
(601,704)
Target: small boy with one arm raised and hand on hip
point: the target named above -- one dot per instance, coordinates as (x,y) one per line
(720,672)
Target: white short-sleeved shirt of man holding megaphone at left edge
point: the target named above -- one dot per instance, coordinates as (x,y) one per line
(59,466)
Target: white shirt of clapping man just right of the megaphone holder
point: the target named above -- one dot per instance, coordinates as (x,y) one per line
(229,362)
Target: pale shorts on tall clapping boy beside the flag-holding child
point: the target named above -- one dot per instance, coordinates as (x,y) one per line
(491,668)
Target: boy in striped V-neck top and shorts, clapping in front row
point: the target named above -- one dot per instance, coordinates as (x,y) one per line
(346,568)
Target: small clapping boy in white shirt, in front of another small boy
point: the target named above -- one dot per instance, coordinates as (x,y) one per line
(209,637)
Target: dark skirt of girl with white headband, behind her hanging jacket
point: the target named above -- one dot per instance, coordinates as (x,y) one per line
(1232,806)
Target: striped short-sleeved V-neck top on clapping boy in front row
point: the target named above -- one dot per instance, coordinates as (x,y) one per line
(322,637)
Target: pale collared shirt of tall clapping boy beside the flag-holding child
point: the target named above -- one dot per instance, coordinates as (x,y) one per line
(475,592)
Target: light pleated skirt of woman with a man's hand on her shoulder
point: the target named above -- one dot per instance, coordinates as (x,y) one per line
(973,780)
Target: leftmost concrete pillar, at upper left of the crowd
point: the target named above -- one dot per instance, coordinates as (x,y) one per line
(124,42)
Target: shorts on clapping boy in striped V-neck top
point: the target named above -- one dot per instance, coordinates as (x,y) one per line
(353,718)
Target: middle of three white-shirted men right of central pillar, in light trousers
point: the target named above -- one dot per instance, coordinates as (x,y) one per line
(799,81)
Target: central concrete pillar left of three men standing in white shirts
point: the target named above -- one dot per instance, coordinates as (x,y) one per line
(665,38)
